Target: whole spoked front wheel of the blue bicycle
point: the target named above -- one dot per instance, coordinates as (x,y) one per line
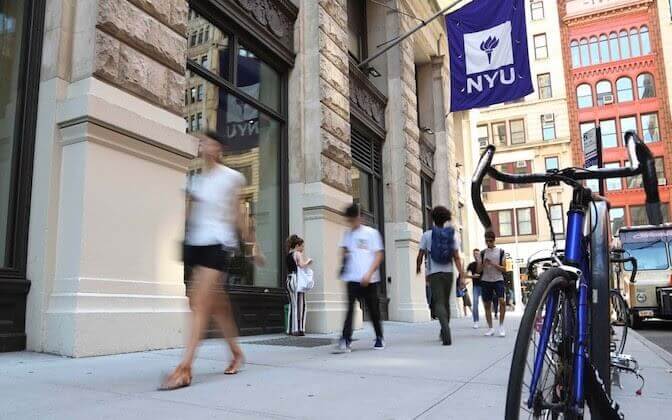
(550,397)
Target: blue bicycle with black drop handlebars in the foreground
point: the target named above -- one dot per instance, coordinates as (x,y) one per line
(552,359)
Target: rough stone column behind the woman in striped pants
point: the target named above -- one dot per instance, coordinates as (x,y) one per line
(319,141)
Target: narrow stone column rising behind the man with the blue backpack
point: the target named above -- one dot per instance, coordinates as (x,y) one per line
(403,216)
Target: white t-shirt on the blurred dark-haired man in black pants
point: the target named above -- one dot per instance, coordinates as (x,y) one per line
(362,246)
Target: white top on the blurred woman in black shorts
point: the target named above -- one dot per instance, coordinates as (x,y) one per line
(212,219)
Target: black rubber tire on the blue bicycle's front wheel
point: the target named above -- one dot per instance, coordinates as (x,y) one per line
(548,281)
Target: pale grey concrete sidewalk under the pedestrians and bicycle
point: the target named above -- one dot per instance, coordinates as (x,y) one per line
(414,377)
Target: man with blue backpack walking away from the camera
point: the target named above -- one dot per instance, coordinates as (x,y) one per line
(440,246)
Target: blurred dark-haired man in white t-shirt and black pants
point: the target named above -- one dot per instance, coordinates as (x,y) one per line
(362,252)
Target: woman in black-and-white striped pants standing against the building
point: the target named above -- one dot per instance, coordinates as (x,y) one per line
(297,298)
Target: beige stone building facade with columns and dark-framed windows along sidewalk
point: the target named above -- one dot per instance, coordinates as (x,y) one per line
(119,100)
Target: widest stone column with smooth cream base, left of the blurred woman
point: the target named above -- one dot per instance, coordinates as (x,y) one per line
(107,211)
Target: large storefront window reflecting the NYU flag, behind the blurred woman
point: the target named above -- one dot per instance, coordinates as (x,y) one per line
(248,120)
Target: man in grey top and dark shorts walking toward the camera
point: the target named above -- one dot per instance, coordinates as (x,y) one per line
(491,266)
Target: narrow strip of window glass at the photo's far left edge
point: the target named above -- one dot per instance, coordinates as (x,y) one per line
(11,23)
